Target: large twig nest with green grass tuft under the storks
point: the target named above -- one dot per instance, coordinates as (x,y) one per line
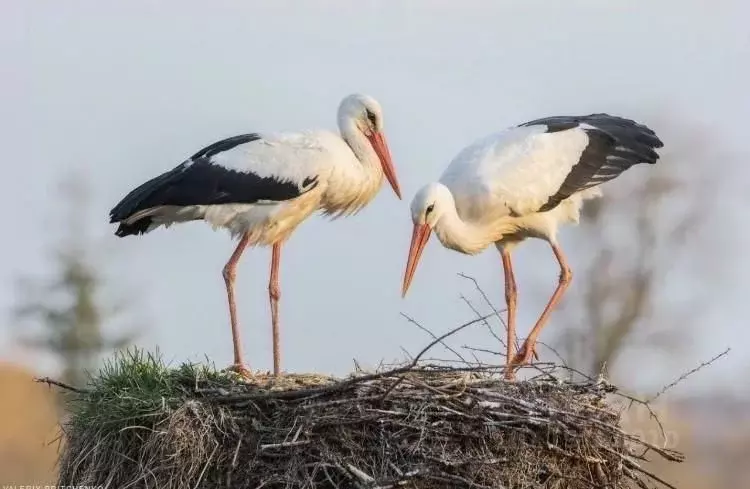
(140,424)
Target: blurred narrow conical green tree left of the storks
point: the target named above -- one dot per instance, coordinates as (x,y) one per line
(69,305)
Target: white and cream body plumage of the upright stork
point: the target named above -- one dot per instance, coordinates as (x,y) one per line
(344,185)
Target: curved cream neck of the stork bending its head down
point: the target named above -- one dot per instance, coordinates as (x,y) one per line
(464,236)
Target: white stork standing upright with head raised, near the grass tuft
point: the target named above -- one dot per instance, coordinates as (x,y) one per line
(260,187)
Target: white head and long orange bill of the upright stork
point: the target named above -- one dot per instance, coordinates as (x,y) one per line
(364,114)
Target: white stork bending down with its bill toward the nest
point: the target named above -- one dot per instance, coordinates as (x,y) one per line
(523,183)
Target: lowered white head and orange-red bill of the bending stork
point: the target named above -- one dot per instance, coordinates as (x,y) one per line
(428,206)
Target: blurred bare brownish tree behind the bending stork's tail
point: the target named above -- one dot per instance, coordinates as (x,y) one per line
(637,236)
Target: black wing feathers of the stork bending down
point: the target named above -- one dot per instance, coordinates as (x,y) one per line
(615,144)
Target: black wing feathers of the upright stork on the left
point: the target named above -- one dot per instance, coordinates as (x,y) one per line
(198,181)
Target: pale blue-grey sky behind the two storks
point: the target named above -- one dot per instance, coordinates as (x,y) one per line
(128,90)
